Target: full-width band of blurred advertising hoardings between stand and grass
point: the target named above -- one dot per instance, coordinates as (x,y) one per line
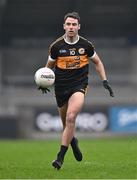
(30,121)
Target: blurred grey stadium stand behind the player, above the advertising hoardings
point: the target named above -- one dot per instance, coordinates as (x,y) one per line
(27,27)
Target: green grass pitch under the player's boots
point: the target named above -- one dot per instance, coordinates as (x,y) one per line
(104,158)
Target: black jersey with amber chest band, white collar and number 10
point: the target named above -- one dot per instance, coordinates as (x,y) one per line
(71,61)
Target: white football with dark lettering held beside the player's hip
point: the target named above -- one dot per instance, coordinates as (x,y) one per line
(44,77)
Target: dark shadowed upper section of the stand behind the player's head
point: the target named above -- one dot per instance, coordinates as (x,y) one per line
(40,18)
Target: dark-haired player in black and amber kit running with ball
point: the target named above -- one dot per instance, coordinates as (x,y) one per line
(70,56)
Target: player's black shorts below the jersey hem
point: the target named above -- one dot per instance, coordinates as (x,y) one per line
(63,97)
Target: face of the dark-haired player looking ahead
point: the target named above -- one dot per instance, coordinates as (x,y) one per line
(71,27)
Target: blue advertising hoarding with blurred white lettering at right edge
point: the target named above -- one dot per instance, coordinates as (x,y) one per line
(123,119)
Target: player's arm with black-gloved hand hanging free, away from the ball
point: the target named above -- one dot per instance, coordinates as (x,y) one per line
(101,71)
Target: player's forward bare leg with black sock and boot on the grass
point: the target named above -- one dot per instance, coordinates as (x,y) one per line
(75,104)
